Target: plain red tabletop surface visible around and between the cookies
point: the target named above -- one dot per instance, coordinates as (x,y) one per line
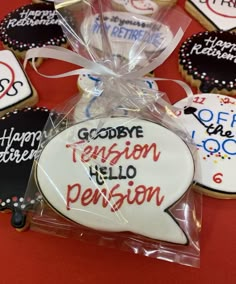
(32,257)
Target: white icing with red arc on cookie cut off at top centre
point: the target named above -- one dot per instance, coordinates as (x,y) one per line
(142,7)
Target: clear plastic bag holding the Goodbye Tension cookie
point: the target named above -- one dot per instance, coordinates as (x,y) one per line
(122,175)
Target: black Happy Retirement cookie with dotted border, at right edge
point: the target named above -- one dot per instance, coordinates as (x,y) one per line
(208,61)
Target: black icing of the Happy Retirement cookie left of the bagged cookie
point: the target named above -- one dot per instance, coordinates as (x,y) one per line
(20,133)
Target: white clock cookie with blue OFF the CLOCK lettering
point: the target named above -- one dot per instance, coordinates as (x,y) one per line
(211,122)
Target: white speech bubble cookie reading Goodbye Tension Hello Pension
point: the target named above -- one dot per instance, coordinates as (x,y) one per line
(124,176)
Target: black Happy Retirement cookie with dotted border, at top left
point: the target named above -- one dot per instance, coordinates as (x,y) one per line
(33,25)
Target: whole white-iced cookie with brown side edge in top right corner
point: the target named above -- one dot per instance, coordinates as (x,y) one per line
(213,14)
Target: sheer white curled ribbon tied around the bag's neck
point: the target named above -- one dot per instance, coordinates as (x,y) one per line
(104,73)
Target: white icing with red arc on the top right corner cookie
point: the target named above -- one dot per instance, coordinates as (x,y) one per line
(221,13)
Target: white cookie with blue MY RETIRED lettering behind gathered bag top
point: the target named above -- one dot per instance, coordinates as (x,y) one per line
(124,30)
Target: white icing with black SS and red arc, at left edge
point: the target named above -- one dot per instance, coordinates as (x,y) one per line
(14,86)
